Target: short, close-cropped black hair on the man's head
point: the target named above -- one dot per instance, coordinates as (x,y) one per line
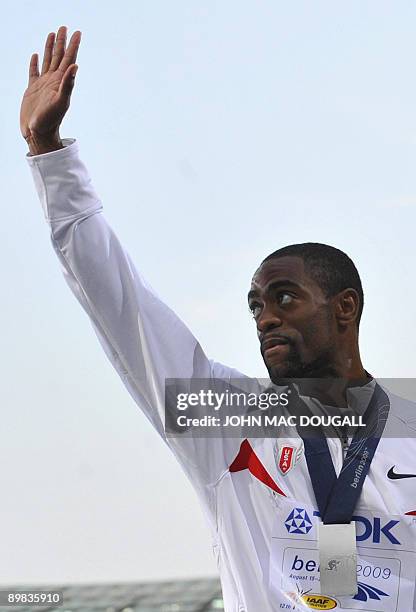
(328,266)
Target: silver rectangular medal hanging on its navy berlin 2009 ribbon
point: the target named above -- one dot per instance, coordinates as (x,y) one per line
(337,497)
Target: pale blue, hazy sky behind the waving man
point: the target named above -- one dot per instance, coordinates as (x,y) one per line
(215,132)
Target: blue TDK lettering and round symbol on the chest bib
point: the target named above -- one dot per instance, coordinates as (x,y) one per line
(298,522)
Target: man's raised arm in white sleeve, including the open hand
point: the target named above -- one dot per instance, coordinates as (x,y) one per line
(145,341)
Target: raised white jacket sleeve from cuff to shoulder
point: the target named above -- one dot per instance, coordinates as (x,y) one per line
(144,340)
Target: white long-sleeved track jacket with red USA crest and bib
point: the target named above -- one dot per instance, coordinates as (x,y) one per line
(261,511)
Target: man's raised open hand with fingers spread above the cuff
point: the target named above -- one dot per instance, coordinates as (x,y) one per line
(48,94)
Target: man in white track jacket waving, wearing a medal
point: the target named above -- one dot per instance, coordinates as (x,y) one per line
(267,499)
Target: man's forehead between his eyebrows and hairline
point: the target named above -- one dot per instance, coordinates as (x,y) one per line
(290,269)
